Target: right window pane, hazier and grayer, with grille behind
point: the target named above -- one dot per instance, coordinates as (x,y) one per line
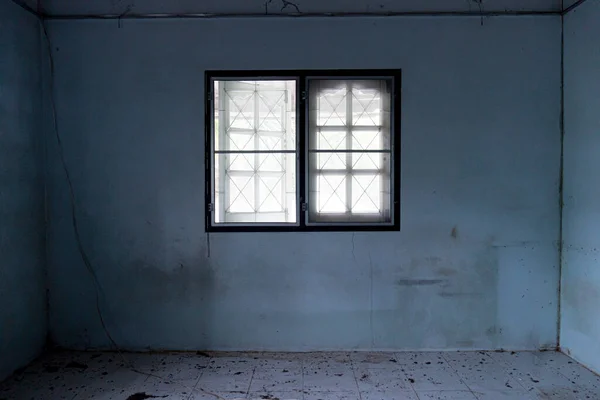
(349,163)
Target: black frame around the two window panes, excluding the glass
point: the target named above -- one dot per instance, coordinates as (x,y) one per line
(302,77)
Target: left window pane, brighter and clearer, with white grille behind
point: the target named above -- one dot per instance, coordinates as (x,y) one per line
(255,152)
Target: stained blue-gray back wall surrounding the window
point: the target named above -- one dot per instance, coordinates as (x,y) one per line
(476,262)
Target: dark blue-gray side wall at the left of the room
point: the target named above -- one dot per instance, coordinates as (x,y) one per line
(22,227)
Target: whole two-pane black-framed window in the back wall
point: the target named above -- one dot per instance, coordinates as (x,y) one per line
(307,150)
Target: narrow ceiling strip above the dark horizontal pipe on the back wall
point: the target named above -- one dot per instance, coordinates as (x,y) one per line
(220,7)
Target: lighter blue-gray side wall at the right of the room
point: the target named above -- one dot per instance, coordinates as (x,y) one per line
(580,305)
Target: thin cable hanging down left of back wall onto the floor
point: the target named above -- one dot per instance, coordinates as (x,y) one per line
(98,288)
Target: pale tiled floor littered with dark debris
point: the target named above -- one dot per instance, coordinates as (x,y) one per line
(307,376)
